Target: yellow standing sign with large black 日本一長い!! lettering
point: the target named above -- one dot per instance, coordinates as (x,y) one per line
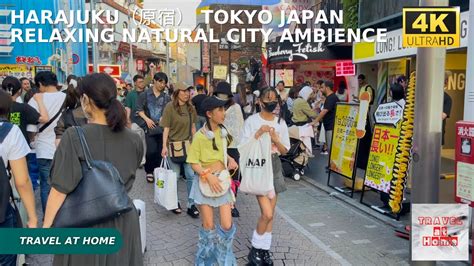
(379,171)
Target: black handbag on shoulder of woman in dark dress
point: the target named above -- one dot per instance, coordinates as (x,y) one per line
(99,196)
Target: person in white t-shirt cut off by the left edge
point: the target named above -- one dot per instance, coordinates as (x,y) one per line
(13,151)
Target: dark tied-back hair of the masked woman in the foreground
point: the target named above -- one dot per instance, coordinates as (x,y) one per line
(101,89)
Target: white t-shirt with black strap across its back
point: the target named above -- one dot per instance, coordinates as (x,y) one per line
(45,141)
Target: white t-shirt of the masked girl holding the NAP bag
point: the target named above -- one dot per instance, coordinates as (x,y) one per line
(254,122)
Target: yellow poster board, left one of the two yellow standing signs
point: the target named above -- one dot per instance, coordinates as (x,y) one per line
(344,140)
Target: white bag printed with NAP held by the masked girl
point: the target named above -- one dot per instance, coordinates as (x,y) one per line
(256,166)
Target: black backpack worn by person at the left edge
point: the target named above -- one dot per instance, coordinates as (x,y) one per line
(5,188)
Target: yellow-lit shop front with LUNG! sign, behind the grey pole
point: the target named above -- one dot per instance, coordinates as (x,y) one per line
(383,63)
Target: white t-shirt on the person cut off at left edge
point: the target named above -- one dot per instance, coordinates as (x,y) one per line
(14,145)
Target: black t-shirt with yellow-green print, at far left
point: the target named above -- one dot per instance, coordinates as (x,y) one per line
(22,114)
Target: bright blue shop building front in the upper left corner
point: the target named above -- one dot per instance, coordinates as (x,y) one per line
(25,59)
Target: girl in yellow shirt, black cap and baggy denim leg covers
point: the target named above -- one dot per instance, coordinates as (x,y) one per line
(206,157)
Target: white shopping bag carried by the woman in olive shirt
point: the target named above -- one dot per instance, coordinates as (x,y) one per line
(166,187)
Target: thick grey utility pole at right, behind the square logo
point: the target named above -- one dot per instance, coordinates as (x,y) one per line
(430,67)
